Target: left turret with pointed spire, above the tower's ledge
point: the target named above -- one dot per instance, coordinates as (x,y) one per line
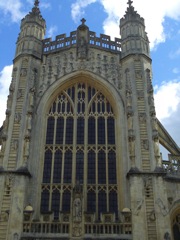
(33,28)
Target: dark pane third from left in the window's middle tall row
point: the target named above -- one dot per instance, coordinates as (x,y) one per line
(68,167)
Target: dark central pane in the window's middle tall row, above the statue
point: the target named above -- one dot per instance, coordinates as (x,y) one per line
(79,166)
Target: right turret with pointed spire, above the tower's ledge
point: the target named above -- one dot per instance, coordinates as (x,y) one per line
(133,35)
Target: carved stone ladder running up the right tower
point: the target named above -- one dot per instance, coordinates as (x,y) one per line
(146,167)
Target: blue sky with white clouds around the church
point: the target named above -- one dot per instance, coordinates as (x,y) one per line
(162,20)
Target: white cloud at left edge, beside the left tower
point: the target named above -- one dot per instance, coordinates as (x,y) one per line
(5,79)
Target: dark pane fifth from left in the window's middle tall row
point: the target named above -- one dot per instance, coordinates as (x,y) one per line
(91,167)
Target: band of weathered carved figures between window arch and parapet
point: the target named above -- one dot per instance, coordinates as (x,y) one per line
(58,66)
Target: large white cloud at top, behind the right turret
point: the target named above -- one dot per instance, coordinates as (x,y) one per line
(153,11)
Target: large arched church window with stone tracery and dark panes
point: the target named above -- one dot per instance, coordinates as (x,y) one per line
(80,146)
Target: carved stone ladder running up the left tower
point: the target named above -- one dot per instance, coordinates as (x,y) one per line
(13,153)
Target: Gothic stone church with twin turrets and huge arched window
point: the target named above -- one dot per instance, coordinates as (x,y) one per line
(79,154)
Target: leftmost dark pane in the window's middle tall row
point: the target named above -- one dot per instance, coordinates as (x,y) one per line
(47,167)
